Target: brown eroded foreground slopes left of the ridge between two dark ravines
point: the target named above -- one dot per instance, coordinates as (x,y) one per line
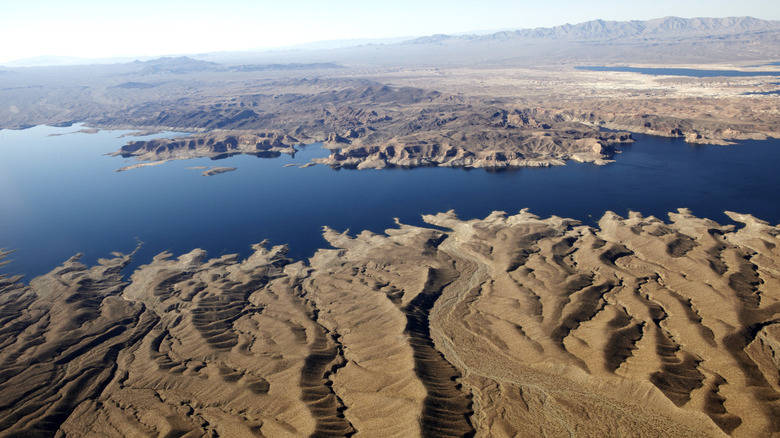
(189,346)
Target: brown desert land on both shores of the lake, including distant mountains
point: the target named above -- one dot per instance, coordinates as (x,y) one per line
(509,325)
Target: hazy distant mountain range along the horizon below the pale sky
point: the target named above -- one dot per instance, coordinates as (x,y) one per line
(731,37)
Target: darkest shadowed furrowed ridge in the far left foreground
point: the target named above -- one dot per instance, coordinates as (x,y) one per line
(59,341)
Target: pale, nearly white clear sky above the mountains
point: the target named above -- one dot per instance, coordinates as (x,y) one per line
(111,28)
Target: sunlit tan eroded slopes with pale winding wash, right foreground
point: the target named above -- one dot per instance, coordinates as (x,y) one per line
(670,321)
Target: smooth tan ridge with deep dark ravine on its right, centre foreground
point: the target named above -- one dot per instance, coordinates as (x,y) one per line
(387,286)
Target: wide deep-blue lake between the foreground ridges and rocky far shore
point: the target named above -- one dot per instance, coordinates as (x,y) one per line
(61,195)
